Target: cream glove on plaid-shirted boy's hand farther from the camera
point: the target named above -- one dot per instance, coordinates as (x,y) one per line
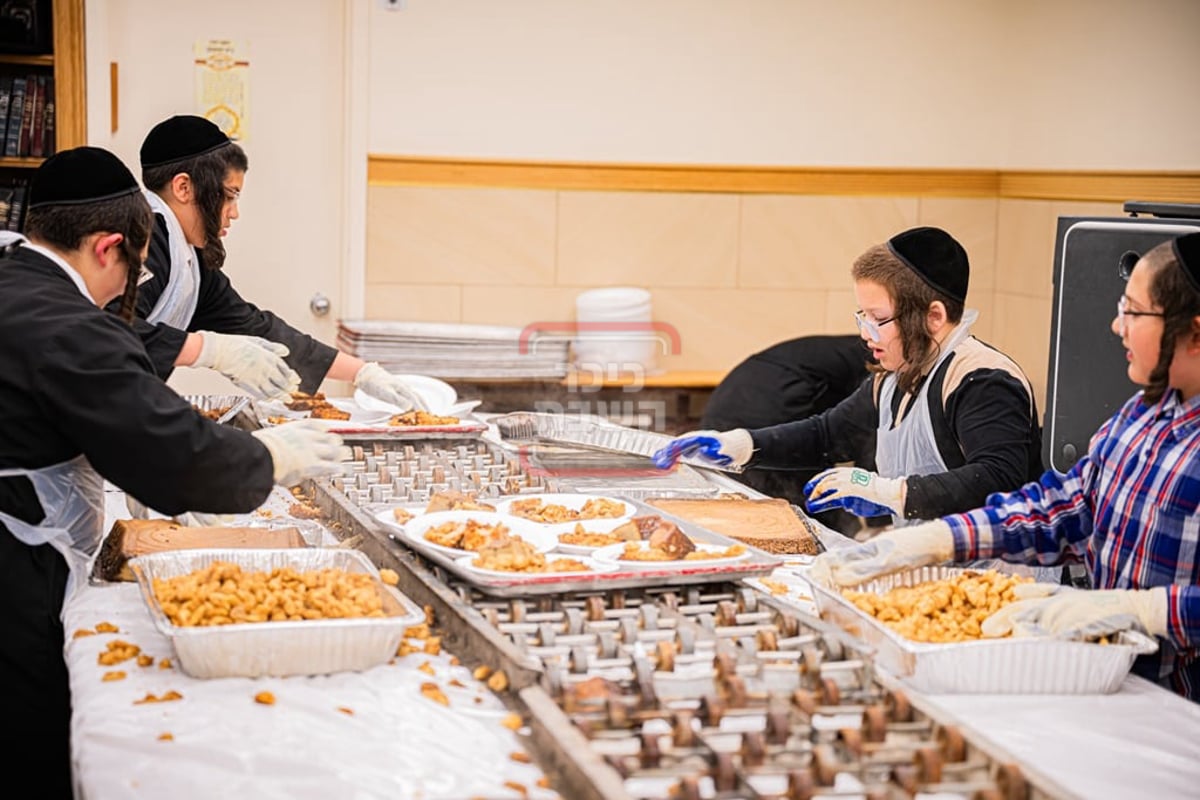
(904,549)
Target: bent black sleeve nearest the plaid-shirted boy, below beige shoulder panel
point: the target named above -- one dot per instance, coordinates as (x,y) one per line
(991,417)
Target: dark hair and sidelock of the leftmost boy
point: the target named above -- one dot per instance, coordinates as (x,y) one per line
(65,227)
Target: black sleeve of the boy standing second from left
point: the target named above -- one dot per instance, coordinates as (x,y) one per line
(224,311)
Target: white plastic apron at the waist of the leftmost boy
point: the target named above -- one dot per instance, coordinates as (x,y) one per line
(73,497)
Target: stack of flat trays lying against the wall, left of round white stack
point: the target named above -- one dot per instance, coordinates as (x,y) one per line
(458,351)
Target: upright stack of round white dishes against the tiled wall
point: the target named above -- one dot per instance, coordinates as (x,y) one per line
(615,332)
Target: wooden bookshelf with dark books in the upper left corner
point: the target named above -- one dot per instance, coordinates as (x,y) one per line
(44,63)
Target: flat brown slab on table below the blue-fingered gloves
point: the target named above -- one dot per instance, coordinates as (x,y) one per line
(769,525)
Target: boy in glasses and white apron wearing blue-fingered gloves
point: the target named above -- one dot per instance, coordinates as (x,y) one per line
(951,420)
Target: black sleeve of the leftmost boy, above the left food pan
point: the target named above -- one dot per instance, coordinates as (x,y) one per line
(141,435)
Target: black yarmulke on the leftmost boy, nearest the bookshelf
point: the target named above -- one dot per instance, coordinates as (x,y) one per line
(81,176)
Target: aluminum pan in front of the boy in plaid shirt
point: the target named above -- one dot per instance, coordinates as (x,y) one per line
(1011,666)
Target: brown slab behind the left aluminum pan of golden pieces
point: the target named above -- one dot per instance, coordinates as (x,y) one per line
(133,538)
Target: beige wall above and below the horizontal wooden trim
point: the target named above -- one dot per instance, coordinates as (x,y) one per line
(1001,85)
